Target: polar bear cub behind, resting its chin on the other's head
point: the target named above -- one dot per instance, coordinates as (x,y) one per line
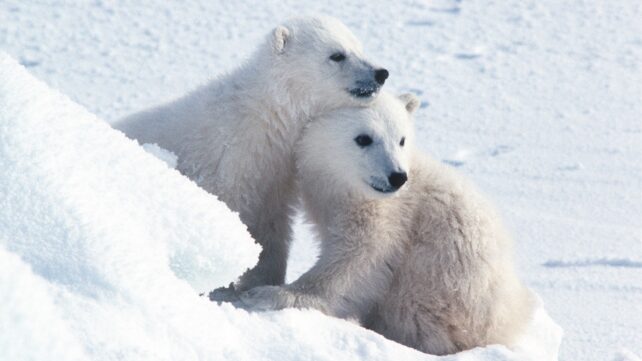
(235,135)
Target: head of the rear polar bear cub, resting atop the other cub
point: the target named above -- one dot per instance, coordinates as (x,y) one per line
(320,58)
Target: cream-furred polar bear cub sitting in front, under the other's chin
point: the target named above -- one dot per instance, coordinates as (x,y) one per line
(408,247)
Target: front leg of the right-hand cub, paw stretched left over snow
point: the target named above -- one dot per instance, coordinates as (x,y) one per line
(351,274)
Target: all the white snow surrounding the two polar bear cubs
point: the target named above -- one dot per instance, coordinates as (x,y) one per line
(539,102)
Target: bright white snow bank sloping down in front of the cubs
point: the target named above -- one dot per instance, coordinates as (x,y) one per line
(103,250)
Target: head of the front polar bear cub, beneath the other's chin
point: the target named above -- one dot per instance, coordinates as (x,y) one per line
(363,151)
